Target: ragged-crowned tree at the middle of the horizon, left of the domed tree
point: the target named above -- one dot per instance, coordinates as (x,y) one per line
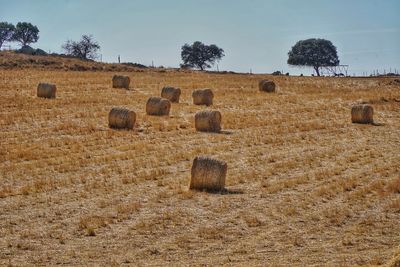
(199,55)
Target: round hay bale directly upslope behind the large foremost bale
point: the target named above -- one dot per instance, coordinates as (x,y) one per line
(208,121)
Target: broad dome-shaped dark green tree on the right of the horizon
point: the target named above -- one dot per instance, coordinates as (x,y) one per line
(315,53)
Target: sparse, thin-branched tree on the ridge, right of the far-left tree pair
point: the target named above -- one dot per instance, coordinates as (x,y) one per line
(86,48)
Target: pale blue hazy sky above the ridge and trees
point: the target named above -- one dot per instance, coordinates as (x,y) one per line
(255,34)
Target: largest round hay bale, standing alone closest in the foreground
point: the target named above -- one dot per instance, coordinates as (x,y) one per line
(208,174)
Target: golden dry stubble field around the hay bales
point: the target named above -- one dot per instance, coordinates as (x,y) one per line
(307,180)
